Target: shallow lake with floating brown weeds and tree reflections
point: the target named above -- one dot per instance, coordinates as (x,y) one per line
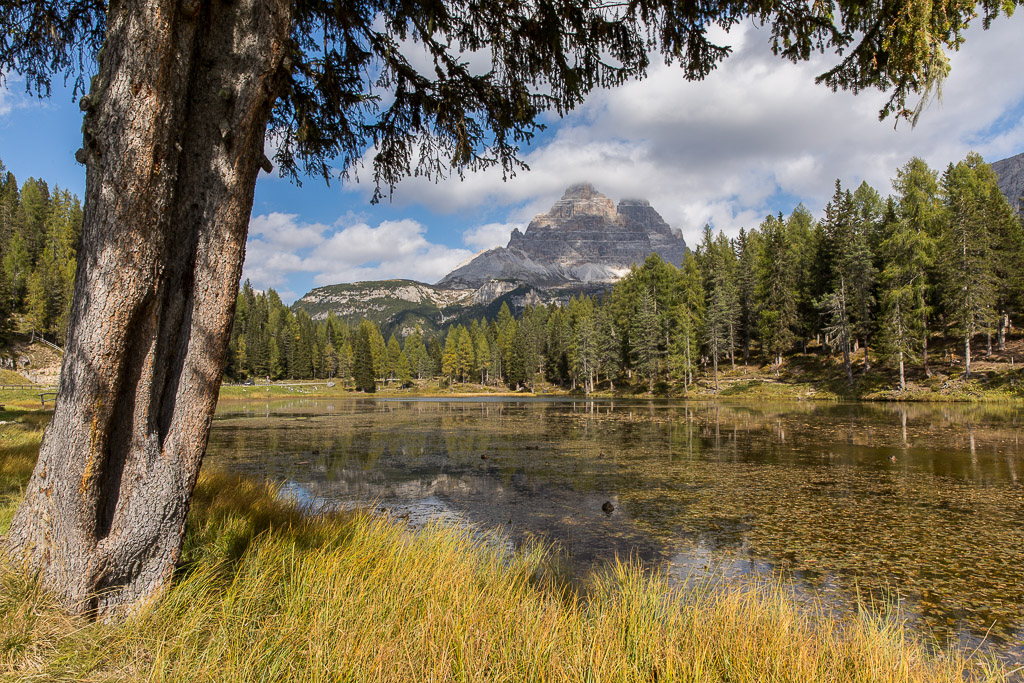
(918,504)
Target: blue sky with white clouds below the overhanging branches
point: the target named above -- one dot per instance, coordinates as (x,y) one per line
(756,138)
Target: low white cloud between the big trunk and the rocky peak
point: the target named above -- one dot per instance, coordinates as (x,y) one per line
(281,245)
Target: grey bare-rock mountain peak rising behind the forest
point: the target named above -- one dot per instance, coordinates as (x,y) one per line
(584,239)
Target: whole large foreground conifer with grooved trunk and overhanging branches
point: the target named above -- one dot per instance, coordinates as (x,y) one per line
(185,98)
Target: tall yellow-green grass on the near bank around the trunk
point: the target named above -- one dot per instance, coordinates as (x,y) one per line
(265,593)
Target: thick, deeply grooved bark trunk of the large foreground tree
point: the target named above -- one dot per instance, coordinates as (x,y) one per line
(174,145)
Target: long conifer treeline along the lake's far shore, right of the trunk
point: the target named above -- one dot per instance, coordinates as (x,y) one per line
(875,277)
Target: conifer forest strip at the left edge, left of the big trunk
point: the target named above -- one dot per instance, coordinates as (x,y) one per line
(40,232)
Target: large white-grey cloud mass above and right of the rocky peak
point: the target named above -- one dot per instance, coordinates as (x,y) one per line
(755,138)
